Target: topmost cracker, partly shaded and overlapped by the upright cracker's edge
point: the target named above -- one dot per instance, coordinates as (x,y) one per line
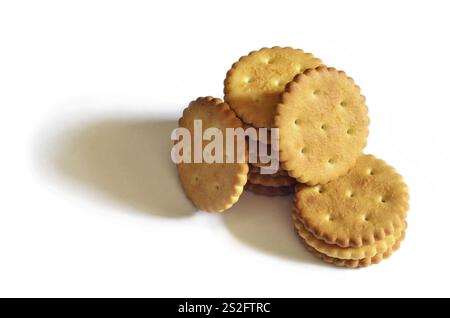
(254,83)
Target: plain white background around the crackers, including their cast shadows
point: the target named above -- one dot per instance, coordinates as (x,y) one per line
(90,203)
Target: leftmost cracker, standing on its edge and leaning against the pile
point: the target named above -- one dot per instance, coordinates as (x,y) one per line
(212,187)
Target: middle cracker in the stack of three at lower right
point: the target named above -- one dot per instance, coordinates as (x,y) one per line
(349,253)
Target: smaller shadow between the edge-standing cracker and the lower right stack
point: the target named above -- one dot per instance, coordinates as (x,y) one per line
(265,224)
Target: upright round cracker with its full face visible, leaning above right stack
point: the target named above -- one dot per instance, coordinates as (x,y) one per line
(323,125)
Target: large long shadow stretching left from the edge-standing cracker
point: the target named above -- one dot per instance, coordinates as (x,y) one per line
(126,160)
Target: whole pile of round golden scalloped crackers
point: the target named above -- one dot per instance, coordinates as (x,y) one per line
(349,208)
